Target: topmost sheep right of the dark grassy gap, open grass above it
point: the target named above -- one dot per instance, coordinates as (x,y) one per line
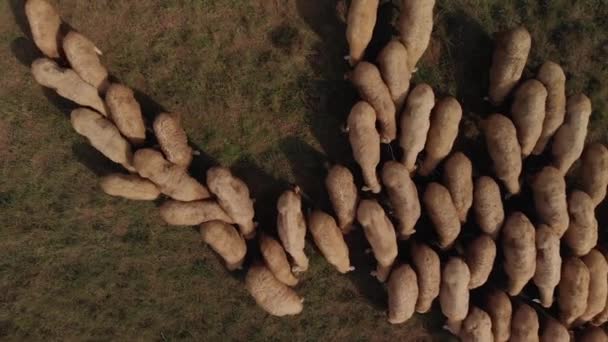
(508,62)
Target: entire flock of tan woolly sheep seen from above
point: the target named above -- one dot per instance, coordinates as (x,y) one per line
(541,119)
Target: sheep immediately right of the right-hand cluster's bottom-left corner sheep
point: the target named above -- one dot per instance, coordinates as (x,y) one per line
(428,269)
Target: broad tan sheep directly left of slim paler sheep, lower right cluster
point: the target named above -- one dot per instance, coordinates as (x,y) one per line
(519,249)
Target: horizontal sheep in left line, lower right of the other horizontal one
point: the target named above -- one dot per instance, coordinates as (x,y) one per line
(178,213)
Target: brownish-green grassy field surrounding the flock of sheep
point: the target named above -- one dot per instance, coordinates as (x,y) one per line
(260,85)
